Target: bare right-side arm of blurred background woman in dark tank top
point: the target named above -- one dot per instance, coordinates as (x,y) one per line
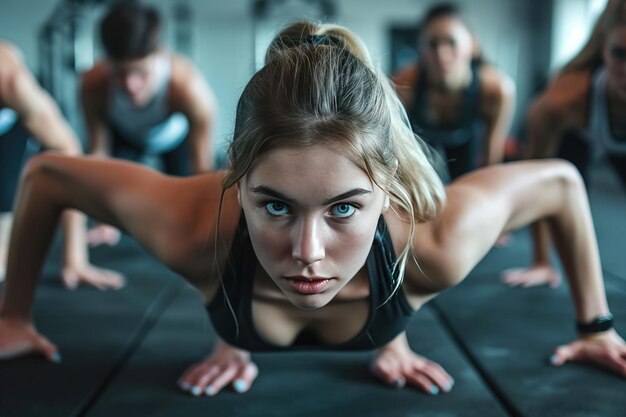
(498,108)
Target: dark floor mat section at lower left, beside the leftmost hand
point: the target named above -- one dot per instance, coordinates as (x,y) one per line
(94,330)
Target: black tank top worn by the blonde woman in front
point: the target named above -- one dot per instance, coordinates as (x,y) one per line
(389,314)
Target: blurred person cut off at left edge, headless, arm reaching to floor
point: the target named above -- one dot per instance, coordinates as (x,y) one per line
(27,111)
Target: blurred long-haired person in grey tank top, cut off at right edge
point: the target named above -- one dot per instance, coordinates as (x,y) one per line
(580,117)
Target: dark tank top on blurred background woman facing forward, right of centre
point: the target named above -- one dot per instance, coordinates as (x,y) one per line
(466,128)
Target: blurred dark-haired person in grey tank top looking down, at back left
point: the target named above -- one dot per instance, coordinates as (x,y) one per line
(145,100)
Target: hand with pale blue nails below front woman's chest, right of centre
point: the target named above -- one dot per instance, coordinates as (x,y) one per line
(397,365)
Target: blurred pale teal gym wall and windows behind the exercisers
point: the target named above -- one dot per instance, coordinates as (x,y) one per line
(526,39)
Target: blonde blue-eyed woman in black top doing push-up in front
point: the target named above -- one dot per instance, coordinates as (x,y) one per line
(312,239)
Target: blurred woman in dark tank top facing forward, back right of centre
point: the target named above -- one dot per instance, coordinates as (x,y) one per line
(456,102)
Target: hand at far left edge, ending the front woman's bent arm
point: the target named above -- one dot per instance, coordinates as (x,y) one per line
(19,337)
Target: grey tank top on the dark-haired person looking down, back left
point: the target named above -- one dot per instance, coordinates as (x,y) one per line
(151,127)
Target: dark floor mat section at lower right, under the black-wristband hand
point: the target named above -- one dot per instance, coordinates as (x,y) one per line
(510,334)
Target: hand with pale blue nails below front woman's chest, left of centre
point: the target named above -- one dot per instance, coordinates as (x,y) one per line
(226,365)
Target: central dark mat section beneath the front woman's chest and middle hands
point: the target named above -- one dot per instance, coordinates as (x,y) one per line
(291,384)
